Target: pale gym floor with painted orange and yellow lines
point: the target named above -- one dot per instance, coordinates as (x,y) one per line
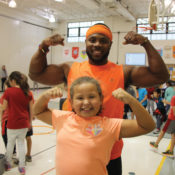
(138,158)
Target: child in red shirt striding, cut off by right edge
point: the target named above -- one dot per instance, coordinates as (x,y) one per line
(169,128)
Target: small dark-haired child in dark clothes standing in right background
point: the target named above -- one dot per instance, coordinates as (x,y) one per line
(160,111)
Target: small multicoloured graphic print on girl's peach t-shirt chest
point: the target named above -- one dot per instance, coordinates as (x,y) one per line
(94,129)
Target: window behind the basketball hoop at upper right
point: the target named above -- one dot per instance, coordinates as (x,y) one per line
(165,28)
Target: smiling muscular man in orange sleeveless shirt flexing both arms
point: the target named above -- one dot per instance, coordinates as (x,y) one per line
(111,76)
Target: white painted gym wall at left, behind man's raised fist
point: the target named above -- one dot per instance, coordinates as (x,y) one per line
(19,41)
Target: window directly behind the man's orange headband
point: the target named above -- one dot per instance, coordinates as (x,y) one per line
(76,32)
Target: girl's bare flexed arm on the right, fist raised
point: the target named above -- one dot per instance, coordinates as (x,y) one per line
(143,123)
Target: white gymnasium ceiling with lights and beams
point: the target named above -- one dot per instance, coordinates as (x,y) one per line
(79,9)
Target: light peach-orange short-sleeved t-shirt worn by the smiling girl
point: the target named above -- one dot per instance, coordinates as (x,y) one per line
(83,145)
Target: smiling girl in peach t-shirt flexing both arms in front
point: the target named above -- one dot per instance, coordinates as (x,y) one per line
(83,134)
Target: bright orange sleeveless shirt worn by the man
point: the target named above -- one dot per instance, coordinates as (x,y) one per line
(110,76)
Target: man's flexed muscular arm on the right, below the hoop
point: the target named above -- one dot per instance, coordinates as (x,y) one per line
(155,73)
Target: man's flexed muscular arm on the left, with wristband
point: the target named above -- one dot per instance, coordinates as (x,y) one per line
(40,71)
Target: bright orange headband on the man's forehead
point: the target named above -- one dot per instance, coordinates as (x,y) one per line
(99,29)
